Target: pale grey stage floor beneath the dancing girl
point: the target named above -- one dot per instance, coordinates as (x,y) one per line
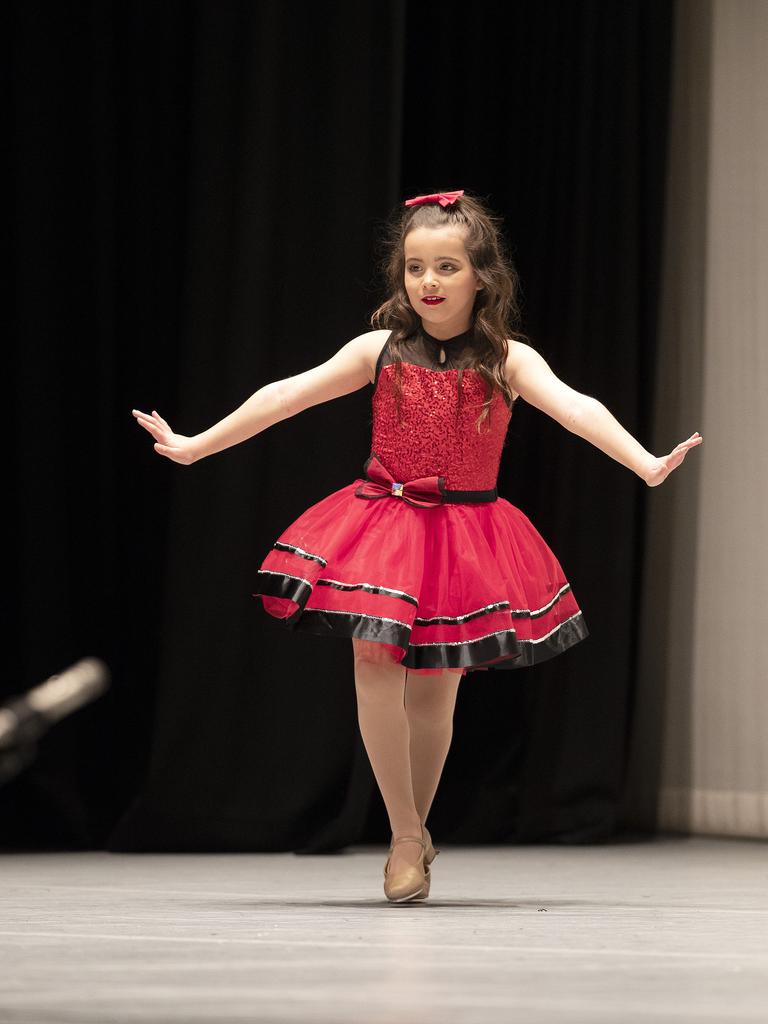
(670,930)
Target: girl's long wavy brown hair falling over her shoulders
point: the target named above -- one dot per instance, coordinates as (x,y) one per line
(496,315)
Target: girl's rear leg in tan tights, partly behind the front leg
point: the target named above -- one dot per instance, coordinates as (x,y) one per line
(430,706)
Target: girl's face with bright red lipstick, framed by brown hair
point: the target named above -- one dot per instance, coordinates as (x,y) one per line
(438,266)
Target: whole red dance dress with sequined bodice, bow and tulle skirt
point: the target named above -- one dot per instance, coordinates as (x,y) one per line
(421,558)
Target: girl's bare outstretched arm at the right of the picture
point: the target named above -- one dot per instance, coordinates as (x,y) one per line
(532,377)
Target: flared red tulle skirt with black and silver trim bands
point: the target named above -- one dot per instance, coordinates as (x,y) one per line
(455,586)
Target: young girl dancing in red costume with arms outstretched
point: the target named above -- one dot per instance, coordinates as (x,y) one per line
(419,562)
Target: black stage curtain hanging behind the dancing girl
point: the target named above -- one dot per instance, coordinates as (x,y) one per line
(198,193)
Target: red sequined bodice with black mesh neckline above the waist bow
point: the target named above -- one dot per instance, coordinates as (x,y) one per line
(437,432)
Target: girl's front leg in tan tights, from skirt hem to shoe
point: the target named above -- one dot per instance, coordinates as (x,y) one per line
(380,688)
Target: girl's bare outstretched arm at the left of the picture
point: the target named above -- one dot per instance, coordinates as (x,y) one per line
(349,370)
